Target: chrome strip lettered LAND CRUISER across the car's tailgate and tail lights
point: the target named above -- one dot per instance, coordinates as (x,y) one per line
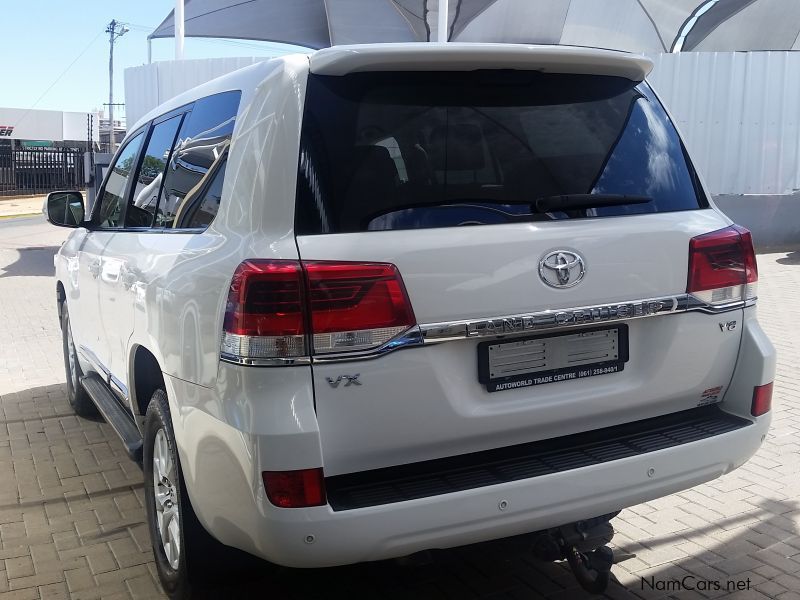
(514,325)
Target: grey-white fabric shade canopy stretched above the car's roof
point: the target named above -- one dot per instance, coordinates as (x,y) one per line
(633,25)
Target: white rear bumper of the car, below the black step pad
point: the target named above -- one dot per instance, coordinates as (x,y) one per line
(224,484)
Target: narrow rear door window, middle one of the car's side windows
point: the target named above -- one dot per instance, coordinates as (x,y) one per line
(151,173)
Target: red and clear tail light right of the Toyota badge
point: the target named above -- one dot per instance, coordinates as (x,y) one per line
(722,266)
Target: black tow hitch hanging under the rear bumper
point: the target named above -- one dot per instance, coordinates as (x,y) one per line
(583,546)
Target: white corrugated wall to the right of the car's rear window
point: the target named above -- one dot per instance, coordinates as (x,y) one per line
(740,115)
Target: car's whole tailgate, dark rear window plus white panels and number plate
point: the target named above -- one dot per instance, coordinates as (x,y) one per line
(439,174)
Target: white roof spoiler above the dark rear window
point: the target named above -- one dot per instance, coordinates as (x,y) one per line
(341,60)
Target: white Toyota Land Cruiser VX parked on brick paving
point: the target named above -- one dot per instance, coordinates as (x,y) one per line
(378,299)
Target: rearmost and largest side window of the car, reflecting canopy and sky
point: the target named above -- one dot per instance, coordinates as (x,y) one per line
(199,151)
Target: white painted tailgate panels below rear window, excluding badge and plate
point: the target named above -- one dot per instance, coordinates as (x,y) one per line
(427,402)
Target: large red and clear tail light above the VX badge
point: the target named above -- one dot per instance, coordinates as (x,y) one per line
(279,309)
